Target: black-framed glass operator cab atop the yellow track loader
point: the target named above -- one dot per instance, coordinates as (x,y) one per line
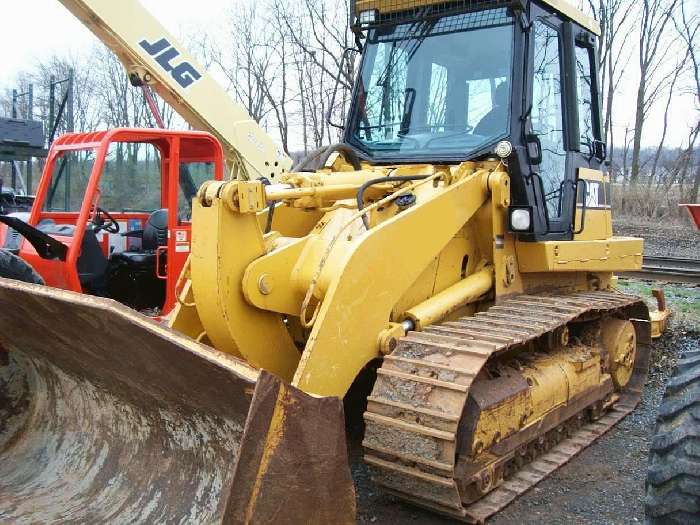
(446,82)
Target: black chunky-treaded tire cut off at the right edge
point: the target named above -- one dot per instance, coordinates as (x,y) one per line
(673,478)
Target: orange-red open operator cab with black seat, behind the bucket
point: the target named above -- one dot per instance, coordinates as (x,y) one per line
(121,204)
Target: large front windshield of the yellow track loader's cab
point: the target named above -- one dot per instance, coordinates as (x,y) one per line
(436,88)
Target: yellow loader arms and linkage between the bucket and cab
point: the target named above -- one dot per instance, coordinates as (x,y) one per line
(331,264)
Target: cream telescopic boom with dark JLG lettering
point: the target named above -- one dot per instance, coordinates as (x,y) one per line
(151,55)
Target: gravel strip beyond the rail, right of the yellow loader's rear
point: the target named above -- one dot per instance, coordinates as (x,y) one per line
(662,239)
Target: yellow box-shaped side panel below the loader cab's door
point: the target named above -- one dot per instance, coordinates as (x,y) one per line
(612,255)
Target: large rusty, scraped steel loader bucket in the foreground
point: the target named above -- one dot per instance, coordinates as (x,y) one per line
(106,416)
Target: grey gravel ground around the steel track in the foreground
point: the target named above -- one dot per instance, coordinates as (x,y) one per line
(604,484)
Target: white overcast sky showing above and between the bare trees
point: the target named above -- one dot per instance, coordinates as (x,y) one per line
(35,29)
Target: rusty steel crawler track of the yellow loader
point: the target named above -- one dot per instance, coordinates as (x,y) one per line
(412,419)
